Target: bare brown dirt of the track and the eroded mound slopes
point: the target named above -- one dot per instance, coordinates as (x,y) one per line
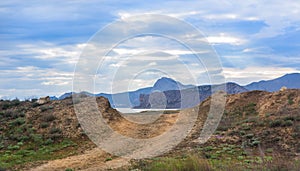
(255,112)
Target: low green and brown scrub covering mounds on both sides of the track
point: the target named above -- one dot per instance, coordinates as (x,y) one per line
(258,131)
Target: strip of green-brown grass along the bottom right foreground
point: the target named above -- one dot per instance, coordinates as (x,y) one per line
(195,162)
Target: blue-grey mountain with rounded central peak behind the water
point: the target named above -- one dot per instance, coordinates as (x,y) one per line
(177,95)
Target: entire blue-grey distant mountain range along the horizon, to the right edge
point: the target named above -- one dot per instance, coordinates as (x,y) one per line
(172,90)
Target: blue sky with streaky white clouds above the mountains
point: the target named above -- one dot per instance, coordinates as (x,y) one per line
(42,42)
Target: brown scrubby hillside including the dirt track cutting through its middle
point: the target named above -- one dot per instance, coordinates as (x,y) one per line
(257,128)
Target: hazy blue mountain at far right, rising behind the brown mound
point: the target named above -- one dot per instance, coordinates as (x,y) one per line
(289,80)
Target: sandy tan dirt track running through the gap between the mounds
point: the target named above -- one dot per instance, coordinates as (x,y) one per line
(96,159)
